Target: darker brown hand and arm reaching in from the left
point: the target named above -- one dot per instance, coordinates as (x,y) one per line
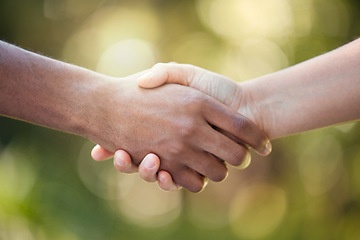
(191,132)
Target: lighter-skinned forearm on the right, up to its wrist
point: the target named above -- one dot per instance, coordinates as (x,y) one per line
(319,92)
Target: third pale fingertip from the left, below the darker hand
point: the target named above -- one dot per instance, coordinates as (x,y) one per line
(148,167)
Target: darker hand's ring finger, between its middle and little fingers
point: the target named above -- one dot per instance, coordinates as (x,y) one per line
(208,165)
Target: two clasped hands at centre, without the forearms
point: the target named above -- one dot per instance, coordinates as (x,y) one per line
(187,132)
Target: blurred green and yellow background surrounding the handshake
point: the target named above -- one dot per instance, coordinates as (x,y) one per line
(308,188)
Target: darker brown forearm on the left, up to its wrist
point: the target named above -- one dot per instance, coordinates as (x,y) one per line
(45,91)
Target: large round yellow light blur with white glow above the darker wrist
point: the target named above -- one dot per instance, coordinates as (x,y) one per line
(108,27)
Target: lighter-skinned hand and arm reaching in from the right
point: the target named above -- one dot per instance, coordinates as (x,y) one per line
(317,93)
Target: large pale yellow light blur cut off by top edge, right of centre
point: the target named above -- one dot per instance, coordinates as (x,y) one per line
(235,19)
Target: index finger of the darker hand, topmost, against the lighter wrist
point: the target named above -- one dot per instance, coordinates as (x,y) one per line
(243,129)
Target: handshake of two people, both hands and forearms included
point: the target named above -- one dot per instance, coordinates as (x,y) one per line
(192,122)
